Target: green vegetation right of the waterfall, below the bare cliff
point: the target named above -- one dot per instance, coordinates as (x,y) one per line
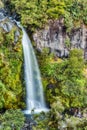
(66,92)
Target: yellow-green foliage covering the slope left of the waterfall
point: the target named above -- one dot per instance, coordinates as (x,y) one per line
(11,79)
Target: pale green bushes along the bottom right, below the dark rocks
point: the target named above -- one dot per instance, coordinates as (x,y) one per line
(55,120)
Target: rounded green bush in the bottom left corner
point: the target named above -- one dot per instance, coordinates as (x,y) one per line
(12,119)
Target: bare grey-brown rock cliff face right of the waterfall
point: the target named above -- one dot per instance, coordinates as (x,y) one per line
(55,37)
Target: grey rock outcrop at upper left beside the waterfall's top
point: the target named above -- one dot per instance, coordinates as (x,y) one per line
(7,24)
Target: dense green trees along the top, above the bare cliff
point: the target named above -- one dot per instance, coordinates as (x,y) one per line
(34,14)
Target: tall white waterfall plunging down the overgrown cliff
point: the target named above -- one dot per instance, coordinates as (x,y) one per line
(34,89)
